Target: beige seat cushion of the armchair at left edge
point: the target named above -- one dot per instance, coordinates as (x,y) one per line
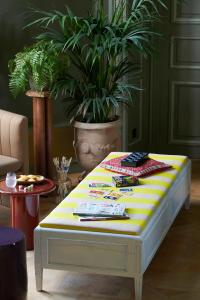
(9,164)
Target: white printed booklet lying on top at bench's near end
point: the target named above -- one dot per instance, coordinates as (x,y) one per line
(103,209)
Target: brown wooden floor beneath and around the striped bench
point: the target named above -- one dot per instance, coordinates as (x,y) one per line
(173,274)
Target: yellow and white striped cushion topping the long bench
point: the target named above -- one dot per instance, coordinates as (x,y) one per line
(140,205)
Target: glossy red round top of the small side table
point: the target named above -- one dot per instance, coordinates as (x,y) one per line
(42,188)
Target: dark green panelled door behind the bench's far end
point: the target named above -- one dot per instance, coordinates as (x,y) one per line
(175,83)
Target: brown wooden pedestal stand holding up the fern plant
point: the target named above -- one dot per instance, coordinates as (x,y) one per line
(42,132)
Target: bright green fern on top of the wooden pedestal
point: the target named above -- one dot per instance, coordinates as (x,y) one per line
(38,66)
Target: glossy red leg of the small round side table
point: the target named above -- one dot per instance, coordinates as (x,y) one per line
(25,215)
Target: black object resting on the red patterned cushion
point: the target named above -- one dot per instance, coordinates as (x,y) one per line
(134,159)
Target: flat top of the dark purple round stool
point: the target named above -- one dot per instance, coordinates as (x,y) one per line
(10,236)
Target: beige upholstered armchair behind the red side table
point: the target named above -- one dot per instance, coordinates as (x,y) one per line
(13,143)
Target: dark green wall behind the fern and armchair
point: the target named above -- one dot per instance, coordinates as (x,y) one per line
(13,16)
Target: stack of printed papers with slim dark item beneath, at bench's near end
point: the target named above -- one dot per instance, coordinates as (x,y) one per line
(95,211)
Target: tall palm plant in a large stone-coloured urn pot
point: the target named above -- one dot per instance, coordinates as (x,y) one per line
(99,49)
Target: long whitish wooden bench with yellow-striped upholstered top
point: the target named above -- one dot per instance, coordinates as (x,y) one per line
(117,247)
